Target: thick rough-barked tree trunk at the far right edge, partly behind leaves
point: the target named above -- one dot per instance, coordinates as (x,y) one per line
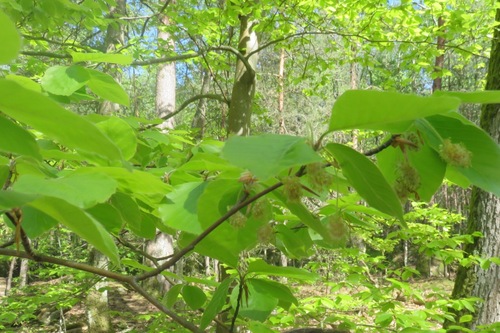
(484,217)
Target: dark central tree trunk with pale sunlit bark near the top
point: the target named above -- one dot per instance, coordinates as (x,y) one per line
(240,110)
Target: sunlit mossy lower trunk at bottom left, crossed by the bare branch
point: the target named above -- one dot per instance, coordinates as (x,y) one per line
(97,309)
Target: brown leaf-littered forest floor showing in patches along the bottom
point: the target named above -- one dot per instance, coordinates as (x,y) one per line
(131,313)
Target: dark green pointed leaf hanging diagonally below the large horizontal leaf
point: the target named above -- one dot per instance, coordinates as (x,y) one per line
(367,179)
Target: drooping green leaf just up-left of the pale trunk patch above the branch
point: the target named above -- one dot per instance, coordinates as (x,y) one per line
(131,213)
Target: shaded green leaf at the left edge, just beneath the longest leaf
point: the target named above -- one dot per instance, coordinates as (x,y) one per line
(17,140)
